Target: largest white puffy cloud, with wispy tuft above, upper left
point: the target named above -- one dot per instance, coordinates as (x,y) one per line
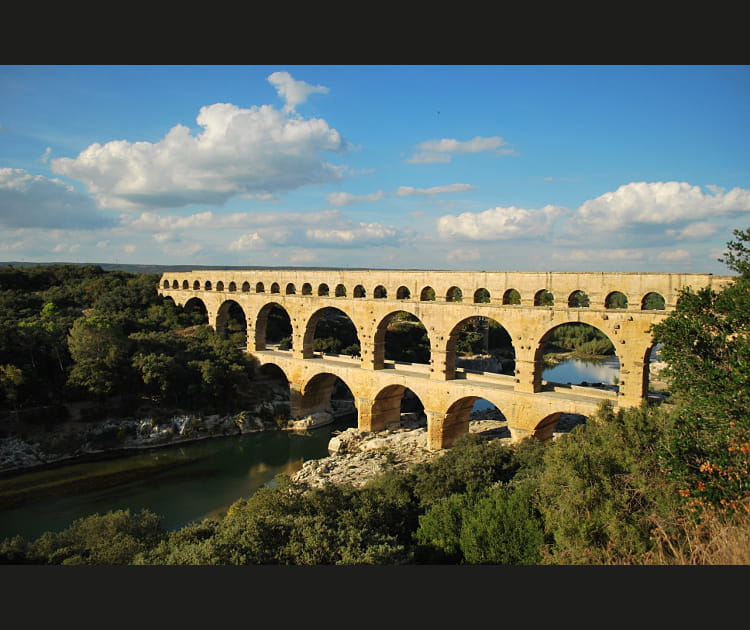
(239,152)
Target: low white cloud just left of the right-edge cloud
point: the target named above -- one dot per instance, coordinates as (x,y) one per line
(498,223)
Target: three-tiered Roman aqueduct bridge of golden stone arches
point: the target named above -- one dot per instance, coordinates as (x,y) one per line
(527,304)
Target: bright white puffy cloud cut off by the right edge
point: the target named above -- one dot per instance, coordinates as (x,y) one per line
(659,203)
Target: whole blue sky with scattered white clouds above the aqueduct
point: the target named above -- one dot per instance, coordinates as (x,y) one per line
(488,167)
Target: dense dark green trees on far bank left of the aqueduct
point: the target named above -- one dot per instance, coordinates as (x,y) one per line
(76,332)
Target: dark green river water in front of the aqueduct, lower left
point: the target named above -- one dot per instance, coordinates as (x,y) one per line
(182,484)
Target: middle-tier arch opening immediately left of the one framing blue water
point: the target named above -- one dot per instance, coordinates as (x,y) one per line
(500,347)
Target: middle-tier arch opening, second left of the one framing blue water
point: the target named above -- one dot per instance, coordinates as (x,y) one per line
(400,337)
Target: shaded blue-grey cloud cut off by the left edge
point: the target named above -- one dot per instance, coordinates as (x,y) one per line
(40,202)
